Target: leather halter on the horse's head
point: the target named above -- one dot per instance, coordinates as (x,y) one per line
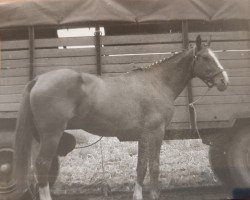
(208,80)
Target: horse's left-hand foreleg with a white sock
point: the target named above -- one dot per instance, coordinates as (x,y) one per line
(141,166)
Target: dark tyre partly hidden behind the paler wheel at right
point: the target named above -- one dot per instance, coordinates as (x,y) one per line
(218,158)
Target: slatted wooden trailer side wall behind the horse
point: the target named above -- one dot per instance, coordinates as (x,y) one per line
(120,54)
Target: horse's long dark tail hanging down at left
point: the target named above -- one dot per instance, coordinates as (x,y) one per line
(23,139)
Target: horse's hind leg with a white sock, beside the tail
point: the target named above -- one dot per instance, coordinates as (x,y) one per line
(48,150)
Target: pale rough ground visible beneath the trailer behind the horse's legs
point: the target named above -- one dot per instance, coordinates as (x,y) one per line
(183,164)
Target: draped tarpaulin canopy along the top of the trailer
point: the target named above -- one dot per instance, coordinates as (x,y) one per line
(15,13)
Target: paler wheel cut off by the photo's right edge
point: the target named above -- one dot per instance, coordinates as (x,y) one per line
(239,158)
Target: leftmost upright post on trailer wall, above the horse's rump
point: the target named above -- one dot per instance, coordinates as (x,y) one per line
(31,51)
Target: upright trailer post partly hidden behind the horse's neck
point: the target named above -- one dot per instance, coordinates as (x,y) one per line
(189,86)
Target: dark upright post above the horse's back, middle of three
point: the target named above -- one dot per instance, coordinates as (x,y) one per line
(98,50)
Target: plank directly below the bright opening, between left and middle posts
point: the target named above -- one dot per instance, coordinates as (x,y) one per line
(67,41)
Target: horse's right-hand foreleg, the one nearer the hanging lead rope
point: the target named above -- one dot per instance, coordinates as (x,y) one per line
(155,142)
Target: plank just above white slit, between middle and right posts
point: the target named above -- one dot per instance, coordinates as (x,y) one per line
(141,49)
